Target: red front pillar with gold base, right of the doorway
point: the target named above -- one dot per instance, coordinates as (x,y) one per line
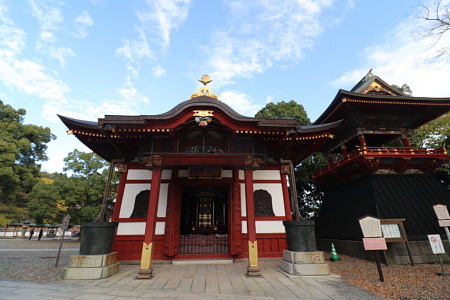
(253,268)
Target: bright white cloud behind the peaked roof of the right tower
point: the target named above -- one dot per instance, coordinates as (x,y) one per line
(402,58)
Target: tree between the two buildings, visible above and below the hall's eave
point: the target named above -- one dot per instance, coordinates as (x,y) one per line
(309,195)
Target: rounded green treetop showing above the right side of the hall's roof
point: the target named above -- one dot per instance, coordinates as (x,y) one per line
(284,110)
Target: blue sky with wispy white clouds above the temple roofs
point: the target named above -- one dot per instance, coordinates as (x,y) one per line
(86,59)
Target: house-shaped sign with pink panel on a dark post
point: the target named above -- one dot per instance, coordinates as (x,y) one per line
(373,240)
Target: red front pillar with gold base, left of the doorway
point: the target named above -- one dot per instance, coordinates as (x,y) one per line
(149,238)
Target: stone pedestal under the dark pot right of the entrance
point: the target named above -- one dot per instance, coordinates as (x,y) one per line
(305,263)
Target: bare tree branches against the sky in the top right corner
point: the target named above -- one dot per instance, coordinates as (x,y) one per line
(437,14)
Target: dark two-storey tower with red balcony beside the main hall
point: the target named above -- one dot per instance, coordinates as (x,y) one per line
(374,170)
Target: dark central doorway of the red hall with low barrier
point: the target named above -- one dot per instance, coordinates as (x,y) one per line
(204,220)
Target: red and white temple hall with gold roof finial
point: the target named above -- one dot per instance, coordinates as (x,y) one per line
(200,181)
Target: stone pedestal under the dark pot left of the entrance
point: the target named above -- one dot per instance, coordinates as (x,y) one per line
(91,266)
